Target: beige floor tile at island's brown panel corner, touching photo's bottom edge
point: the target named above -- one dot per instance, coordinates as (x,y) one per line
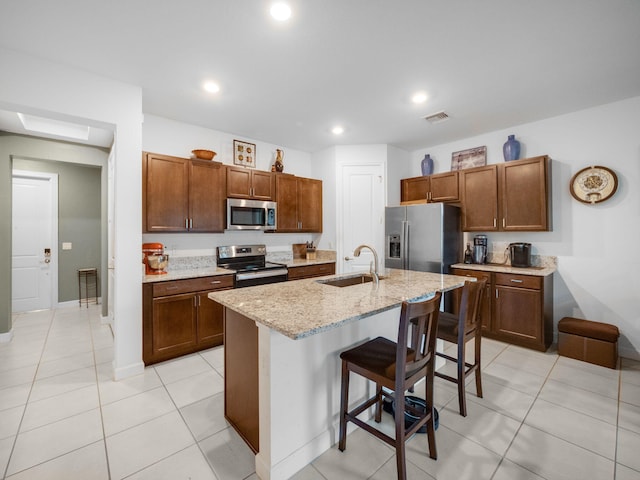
(228,455)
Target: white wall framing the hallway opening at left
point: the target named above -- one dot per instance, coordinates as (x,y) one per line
(39,87)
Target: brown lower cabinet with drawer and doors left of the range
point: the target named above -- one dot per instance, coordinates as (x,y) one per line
(179,317)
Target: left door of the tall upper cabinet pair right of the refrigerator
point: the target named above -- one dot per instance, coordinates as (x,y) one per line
(479,191)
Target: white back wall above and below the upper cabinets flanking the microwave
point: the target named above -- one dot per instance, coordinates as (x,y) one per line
(168,137)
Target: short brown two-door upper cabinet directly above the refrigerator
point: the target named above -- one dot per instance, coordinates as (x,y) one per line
(441,187)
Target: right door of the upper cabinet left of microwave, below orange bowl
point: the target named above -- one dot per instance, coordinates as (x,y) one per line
(207,196)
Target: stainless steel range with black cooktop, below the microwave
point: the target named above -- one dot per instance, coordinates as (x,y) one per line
(249,262)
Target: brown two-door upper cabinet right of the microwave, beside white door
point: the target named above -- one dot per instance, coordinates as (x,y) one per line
(299,203)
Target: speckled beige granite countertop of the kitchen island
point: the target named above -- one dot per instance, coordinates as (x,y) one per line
(306,307)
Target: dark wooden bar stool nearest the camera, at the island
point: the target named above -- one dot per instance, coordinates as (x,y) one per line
(395,366)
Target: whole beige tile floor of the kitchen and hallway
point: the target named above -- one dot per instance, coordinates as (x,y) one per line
(61,417)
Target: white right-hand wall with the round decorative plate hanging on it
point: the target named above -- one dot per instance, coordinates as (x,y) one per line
(596,247)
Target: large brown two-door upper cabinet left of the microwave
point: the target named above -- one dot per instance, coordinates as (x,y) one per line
(182,195)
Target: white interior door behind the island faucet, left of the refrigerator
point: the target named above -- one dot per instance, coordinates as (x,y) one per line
(362,194)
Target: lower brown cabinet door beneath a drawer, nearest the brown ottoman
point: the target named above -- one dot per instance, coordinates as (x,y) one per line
(518,313)
